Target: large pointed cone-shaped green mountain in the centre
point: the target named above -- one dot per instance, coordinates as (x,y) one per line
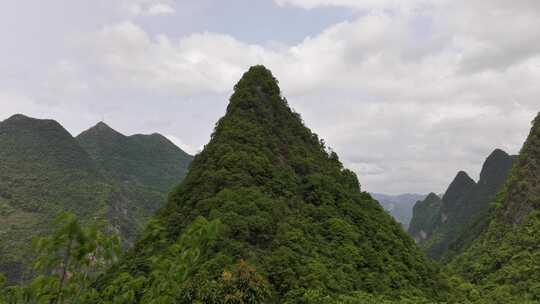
(288,210)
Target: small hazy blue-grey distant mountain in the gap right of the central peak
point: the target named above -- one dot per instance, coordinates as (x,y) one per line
(400,206)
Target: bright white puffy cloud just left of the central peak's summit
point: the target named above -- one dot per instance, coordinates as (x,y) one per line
(204,62)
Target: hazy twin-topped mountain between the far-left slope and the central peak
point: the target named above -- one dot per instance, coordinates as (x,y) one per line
(144,167)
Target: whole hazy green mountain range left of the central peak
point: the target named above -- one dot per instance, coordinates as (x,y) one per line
(100,174)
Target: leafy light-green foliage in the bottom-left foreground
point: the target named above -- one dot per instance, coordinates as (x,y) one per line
(68,262)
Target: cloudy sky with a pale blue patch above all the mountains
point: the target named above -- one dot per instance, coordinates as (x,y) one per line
(407,92)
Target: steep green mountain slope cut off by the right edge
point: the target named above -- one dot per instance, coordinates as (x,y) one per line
(504,259)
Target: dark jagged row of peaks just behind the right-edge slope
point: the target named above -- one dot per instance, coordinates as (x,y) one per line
(446,228)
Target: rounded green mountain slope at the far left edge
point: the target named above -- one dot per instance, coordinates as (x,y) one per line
(42,171)
